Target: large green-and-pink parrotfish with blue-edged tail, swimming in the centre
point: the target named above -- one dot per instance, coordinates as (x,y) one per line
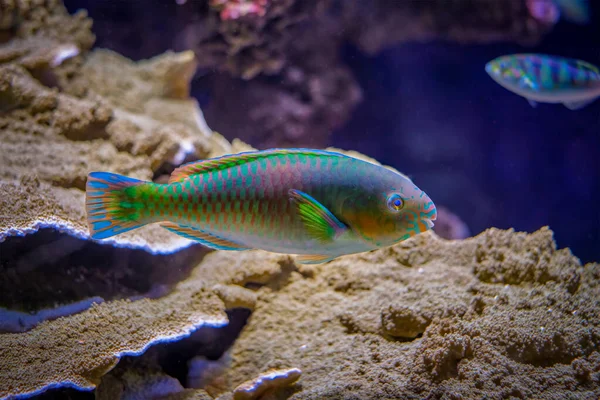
(315,204)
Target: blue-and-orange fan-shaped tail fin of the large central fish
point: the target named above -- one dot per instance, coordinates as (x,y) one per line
(114,204)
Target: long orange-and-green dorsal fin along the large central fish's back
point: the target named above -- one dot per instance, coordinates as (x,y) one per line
(232,160)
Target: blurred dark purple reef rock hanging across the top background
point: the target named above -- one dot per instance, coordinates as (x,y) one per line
(274,69)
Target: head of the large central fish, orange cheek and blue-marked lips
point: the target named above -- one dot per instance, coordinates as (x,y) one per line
(391,210)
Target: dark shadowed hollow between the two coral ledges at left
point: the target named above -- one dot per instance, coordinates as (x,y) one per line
(49,274)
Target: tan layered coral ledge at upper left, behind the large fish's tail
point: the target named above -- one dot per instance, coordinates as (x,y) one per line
(111,114)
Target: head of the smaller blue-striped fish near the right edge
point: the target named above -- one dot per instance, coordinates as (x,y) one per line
(508,72)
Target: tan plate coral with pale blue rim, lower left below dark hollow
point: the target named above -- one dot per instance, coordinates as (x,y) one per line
(77,351)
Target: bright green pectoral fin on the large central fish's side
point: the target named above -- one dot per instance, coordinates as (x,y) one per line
(319,222)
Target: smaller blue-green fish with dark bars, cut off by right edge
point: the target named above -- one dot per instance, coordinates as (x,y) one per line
(542,78)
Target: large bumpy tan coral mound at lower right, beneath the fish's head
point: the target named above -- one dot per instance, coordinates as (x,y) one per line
(415,321)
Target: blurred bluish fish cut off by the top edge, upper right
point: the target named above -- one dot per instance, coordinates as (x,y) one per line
(550,11)
